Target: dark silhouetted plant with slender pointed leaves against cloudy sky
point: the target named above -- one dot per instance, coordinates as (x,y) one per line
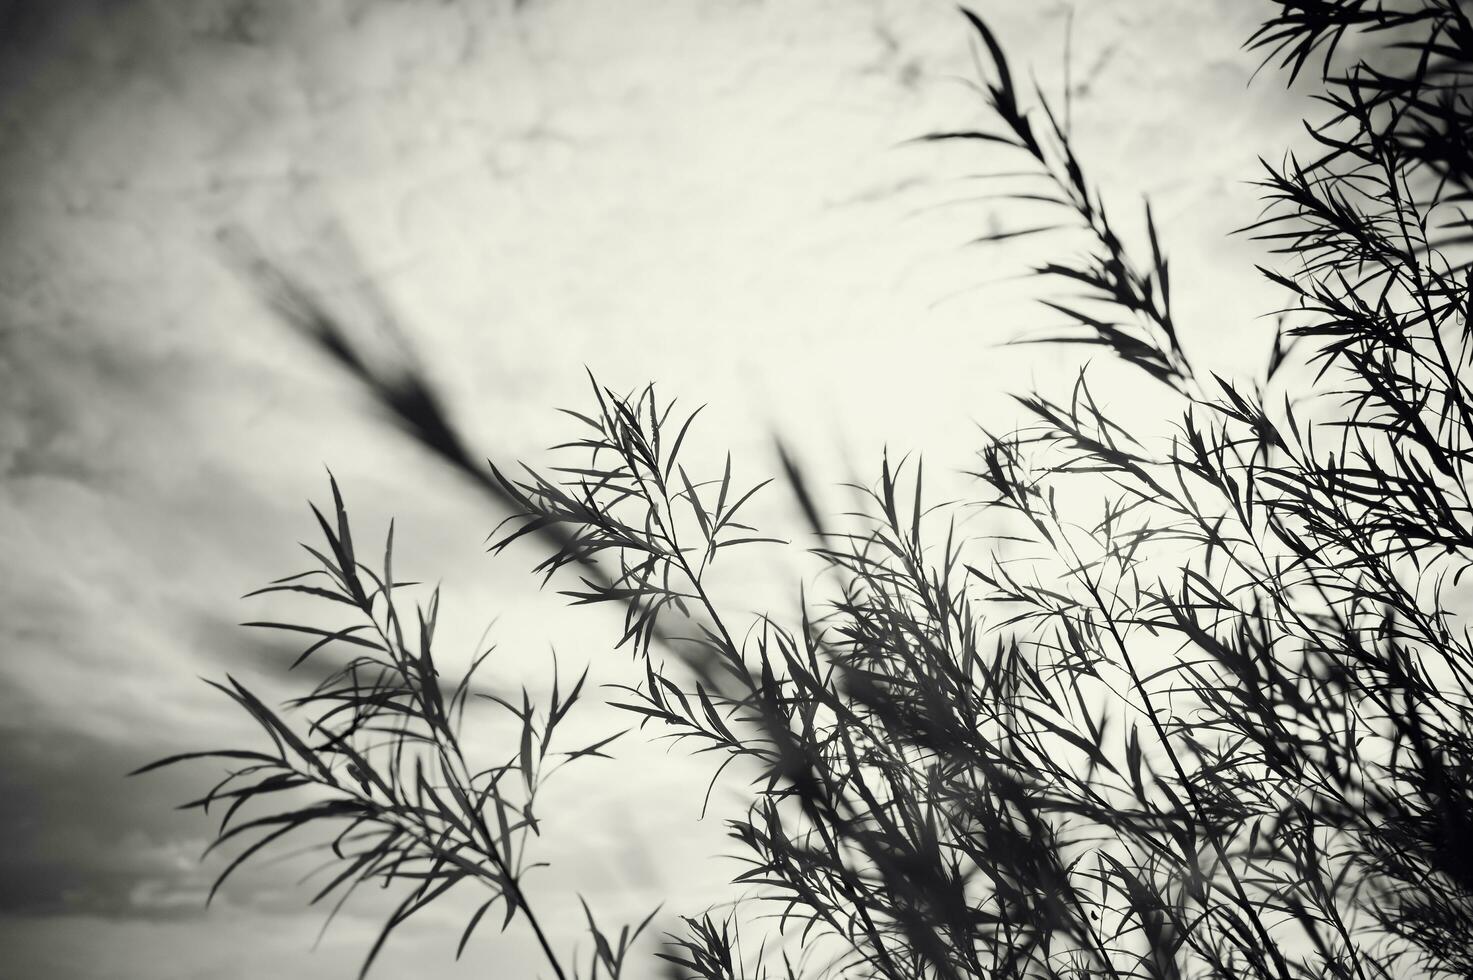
(1203,714)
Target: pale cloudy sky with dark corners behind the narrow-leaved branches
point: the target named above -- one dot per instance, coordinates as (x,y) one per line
(720,197)
